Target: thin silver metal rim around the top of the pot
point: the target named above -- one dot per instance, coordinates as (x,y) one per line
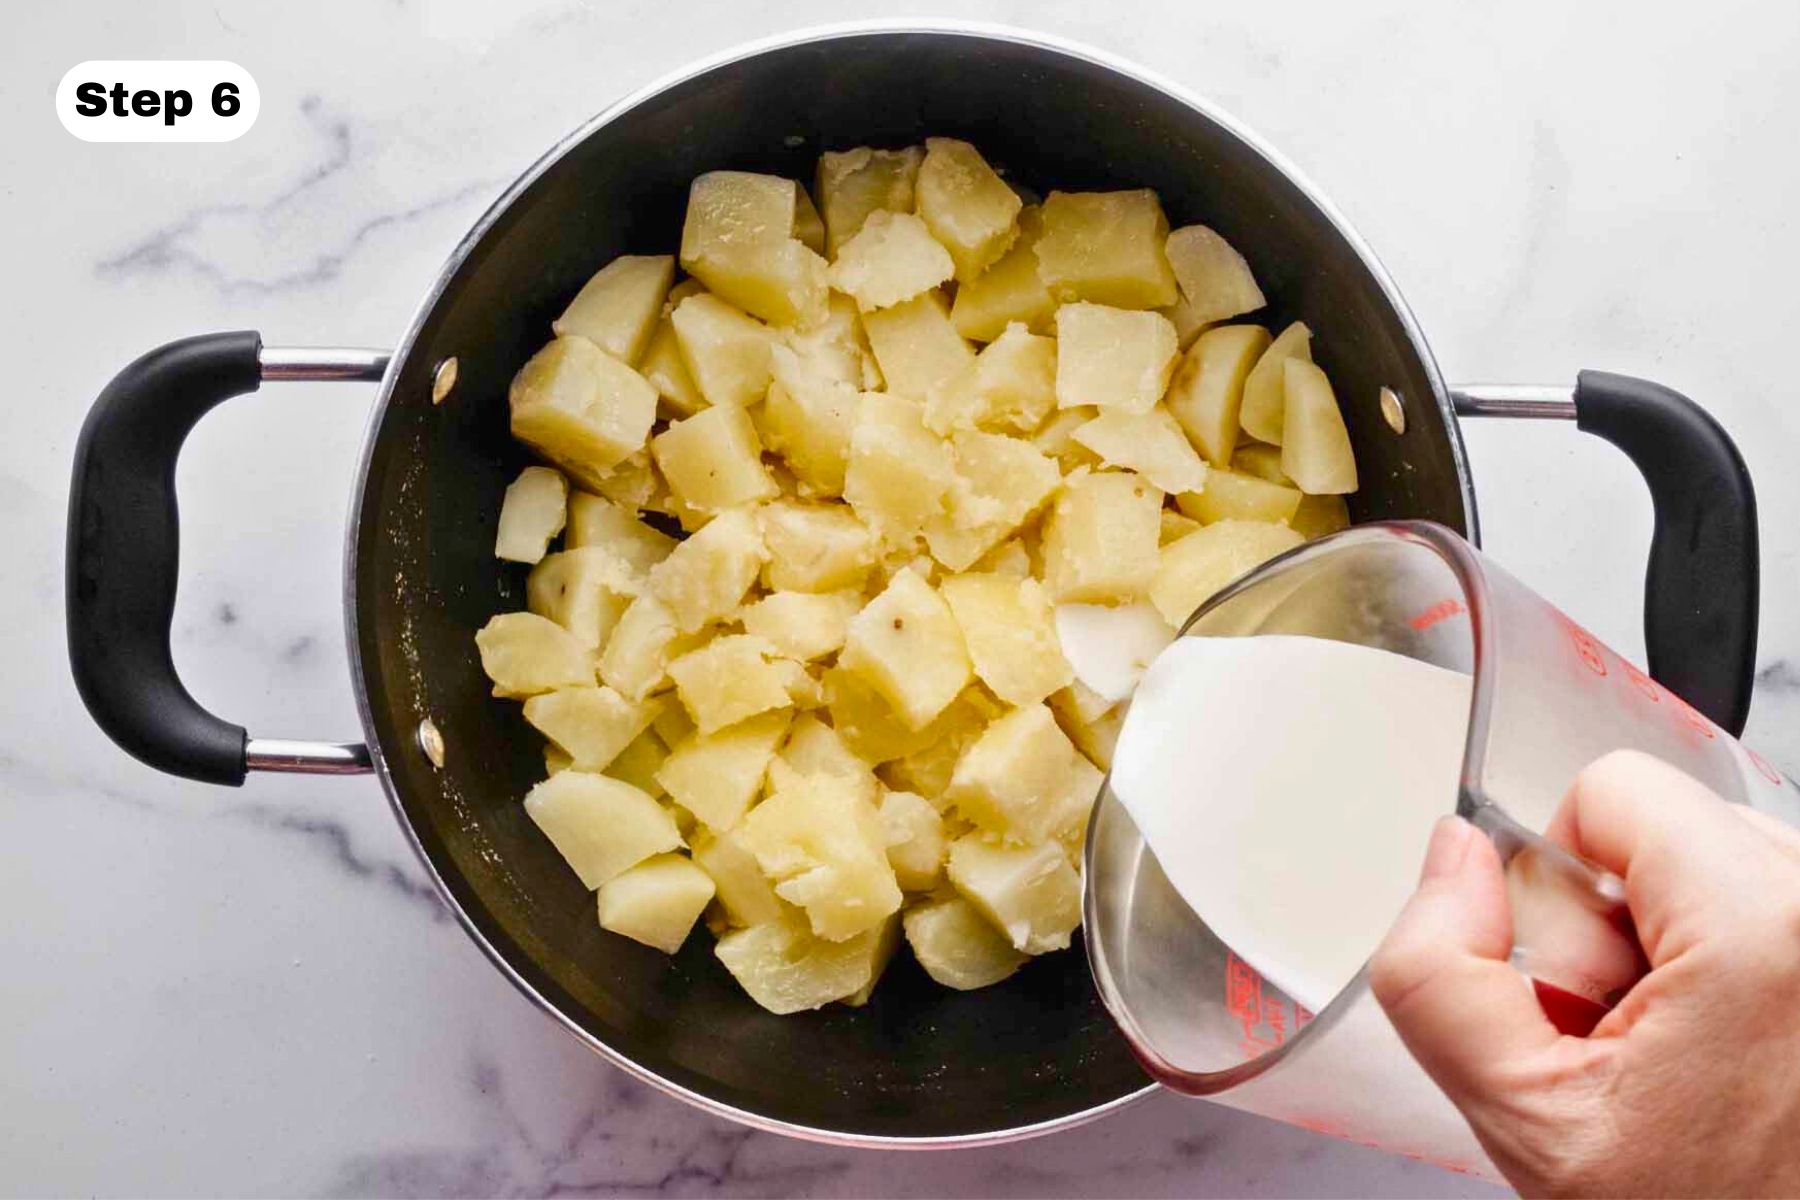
(505,202)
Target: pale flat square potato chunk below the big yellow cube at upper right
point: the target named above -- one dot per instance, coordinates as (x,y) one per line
(1113,357)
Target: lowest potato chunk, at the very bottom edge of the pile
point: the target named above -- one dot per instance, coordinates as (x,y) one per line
(786,969)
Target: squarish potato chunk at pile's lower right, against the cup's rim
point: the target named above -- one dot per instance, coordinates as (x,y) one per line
(1030,893)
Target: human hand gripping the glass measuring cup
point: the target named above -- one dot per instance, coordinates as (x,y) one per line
(1691,1086)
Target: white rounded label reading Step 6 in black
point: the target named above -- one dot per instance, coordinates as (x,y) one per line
(157,102)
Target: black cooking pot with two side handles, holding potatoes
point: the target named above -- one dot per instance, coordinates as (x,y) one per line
(921,1066)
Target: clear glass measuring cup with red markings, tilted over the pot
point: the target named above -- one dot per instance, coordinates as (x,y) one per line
(1547,701)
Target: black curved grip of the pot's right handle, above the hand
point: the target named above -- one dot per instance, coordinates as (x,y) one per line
(1700,595)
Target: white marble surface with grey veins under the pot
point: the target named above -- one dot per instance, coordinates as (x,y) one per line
(255,994)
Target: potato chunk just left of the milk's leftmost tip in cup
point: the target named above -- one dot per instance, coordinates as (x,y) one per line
(1023,778)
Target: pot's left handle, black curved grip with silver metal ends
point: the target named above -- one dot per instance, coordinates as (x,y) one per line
(125,553)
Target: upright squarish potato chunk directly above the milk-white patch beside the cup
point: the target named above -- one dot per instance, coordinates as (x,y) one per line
(1101,539)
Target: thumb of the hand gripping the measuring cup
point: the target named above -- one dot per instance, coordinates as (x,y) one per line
(1443,972)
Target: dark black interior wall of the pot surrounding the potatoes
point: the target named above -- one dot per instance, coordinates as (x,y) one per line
(919,1061)
